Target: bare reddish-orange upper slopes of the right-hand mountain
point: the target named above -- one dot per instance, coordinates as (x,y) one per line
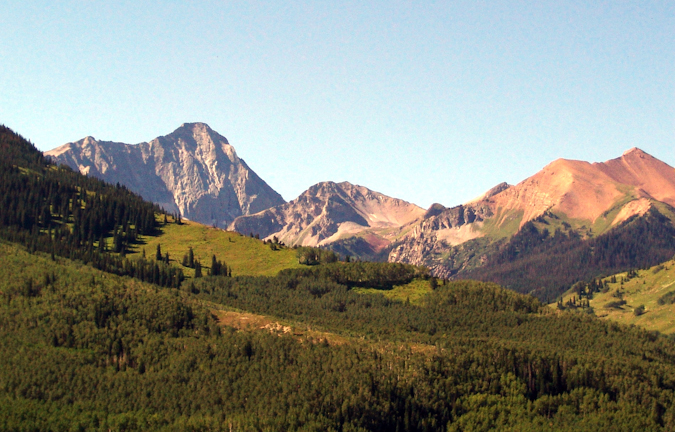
(587,191)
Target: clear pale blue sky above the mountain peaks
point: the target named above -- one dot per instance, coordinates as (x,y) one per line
(424,101)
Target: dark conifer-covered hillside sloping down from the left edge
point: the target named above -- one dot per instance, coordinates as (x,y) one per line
(55,210)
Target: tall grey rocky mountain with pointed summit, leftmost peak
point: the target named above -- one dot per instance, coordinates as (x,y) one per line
(193,171)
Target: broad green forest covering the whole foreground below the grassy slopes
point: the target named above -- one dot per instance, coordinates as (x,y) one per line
(109,354)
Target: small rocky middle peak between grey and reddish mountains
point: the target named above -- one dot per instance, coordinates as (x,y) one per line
(328,212)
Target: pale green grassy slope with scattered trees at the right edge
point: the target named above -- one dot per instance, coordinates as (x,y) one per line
(645,289)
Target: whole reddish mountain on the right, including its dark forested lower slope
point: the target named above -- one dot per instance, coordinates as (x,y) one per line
(593,217)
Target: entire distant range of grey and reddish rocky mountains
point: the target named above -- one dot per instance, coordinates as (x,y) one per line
(196,172)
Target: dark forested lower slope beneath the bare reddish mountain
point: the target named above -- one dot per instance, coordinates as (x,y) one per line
(547,264)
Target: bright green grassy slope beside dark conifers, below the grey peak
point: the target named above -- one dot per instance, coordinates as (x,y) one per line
(246,255)
